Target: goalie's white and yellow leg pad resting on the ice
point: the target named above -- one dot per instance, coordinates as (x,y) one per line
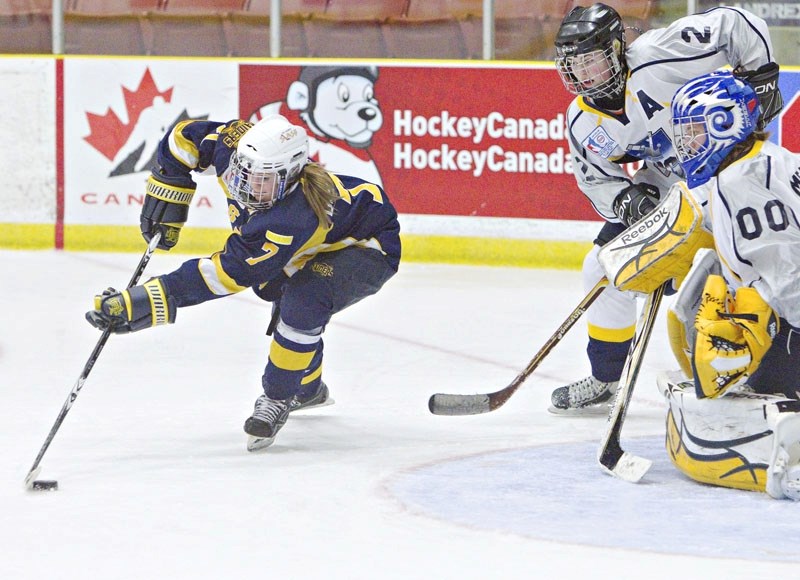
(742,441)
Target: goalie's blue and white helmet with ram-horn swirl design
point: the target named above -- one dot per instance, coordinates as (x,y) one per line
(710,115)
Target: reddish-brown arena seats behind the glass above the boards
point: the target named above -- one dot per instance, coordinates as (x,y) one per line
(524,29)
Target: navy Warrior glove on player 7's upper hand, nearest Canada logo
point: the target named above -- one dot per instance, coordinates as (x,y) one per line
(165,209)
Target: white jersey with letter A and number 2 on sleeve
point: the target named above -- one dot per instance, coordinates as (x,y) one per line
(659,62)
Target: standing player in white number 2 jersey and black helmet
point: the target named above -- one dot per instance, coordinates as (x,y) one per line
(621,114)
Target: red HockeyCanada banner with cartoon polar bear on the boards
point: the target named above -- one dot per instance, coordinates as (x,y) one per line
(447,141)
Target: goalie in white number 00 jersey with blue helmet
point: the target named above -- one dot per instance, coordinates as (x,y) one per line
(736,422)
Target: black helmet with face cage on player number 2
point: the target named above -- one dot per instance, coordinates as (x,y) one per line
(590,47)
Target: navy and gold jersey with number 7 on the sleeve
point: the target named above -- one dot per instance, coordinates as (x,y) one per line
(267,247)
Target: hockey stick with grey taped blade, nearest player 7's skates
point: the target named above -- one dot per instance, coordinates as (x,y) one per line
(444,404)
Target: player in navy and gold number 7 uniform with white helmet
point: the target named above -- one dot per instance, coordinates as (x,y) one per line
(310,241)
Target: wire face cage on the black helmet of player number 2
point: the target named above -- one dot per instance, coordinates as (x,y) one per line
(594,74)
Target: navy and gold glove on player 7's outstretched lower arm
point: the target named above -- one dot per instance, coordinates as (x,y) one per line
(132,309)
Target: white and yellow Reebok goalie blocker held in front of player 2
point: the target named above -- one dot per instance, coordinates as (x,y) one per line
(660,246)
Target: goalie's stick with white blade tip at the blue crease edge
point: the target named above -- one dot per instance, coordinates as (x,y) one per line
(612,458)
